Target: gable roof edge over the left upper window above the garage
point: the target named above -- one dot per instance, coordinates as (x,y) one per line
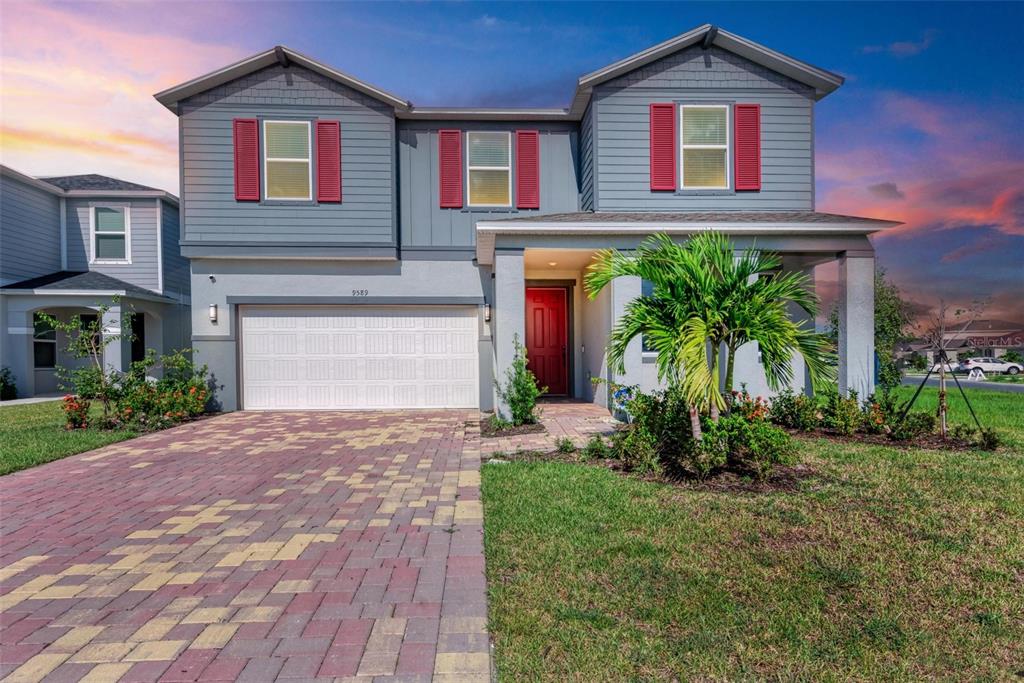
(276,56)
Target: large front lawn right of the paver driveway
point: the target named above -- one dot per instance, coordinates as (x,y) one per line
(887,565)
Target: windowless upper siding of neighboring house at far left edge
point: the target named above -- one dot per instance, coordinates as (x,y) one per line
(30,241)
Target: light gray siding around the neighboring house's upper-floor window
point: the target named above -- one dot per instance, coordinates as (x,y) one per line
(143,217)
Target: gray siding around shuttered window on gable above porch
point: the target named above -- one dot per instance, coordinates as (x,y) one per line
(694,75)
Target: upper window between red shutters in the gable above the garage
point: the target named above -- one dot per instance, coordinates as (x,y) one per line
(288,165)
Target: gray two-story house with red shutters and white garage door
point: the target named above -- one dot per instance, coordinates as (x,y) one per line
(351,250)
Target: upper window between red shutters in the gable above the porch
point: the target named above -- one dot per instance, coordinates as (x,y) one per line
(705,147)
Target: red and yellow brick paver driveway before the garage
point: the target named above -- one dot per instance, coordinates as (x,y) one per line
(252,546)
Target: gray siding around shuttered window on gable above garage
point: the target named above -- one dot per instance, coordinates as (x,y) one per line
(211,216)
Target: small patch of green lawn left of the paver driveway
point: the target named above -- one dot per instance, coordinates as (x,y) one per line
(34,434)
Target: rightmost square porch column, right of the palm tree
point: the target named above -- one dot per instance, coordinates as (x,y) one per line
(857,324)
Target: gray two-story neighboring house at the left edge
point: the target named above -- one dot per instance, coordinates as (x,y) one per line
(69,245)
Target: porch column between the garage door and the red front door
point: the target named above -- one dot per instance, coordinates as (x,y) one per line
(509,316)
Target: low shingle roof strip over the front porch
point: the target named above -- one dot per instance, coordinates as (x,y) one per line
(794,218)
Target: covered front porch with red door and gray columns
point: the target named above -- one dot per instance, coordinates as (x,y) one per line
(540,264)
